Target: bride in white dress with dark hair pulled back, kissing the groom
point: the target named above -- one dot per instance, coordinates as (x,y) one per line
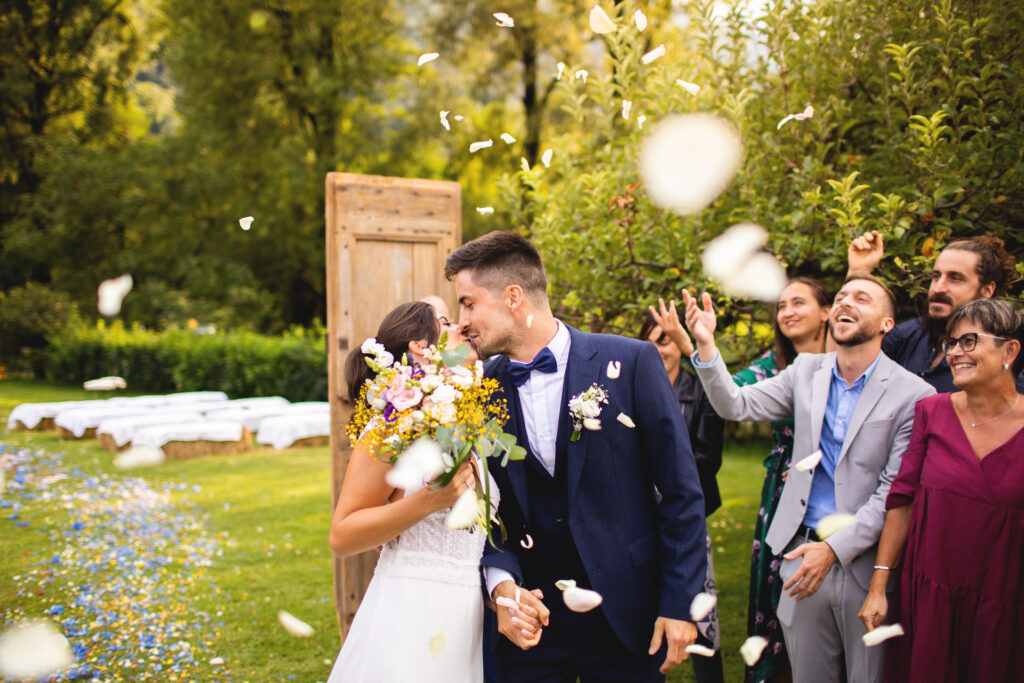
(421,619)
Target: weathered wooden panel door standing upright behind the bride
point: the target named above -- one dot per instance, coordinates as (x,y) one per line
(387,243)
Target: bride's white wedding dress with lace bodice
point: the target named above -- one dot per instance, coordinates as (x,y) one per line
(422,617)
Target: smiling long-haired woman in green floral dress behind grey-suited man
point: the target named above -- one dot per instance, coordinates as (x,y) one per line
(801,327)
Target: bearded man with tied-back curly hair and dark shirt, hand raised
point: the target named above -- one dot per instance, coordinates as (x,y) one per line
(972,269)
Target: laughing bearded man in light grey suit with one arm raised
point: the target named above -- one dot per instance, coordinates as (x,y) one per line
(854,412)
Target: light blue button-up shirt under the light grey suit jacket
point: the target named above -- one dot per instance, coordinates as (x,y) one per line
(839,411)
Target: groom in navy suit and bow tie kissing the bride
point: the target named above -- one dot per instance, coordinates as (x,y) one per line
(617,507)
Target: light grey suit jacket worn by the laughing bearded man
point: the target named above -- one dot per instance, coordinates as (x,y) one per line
(876,440)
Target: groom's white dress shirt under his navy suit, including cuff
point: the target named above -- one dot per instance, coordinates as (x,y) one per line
(541,401)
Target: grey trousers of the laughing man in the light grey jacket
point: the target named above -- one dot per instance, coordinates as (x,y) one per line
(824,631)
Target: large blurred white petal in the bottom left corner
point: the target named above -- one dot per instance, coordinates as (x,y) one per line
(34,650)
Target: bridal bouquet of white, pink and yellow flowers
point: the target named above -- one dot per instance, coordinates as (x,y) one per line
(429,419)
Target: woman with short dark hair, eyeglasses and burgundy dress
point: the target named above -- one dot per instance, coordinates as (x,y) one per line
(958,509)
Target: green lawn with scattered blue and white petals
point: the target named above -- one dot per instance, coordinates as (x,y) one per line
(262,520)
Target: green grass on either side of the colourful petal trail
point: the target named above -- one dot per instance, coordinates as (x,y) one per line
(270,514)
